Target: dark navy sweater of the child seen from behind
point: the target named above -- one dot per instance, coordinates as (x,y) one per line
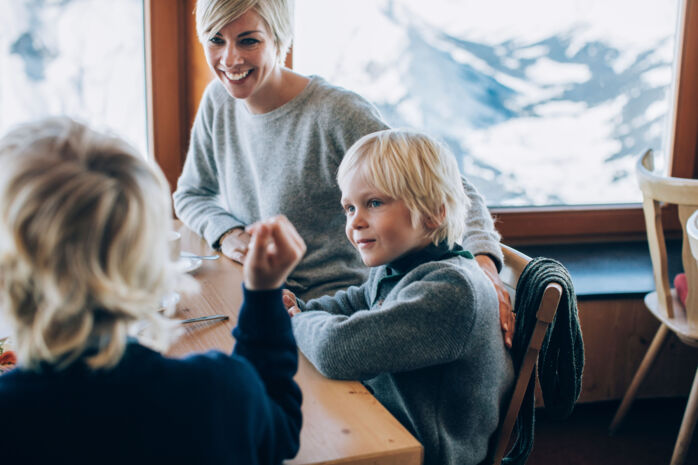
(212,408)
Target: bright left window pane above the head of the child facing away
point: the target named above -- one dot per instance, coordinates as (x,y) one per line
(82,58)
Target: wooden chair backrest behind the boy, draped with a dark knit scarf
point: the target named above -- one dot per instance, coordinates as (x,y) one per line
(514,264)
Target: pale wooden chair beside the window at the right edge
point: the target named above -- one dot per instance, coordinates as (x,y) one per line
(663,303)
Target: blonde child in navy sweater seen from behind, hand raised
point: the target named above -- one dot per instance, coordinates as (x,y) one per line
(83,257)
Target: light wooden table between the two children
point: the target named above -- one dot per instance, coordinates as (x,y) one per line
(342,422)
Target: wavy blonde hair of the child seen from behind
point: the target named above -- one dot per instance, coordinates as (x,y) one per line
(83,252)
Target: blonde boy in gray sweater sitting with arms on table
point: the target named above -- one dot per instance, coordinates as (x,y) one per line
(423,331)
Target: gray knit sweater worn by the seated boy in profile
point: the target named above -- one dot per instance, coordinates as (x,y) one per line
(423,334)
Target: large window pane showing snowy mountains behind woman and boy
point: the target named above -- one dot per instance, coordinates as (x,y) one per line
(544,102)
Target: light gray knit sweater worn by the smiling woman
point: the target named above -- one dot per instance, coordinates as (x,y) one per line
(243,167)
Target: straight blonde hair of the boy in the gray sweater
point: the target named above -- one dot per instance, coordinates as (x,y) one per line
(411,166)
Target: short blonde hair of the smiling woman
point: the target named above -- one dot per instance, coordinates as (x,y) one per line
(213,15)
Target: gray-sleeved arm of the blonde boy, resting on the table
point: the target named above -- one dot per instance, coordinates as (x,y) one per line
(420,328)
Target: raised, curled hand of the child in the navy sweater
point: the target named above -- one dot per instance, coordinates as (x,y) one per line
(275,249)
